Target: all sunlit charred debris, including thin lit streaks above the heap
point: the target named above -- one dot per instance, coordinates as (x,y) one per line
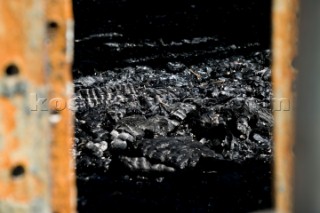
(170,111)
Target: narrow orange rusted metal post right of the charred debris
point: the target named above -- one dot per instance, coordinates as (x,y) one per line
(284,17)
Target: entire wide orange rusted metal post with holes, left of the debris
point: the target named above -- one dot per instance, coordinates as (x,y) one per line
(36,164)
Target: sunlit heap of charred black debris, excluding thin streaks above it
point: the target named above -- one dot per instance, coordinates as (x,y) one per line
(221,105)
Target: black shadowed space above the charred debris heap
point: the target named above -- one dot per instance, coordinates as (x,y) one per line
(163,22)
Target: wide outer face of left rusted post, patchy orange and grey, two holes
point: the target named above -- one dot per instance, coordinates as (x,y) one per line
(24,131)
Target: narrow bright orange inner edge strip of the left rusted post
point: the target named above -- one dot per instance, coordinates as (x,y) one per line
(60,48)
